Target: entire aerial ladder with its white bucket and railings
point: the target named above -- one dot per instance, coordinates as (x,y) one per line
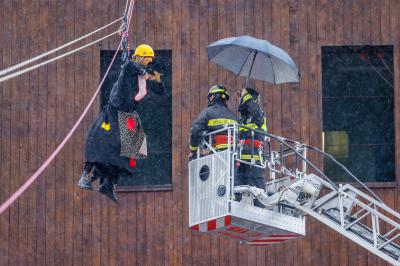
(293,192)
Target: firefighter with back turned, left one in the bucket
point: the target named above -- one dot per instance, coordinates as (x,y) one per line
(213,117)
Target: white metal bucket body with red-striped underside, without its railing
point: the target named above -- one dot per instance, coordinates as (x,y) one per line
(213,210)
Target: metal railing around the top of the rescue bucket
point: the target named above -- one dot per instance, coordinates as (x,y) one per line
(282,157)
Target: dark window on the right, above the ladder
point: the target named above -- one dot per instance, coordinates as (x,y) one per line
(358,112)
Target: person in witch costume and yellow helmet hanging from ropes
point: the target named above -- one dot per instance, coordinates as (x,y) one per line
(116,138)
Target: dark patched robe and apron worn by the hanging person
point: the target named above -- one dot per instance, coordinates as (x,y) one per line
(116,122)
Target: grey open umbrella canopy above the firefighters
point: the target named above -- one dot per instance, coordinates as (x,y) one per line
(254,58)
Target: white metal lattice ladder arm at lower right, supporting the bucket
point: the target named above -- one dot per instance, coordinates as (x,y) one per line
(353,214)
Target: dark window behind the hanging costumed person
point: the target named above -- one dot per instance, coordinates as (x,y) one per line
(156,116)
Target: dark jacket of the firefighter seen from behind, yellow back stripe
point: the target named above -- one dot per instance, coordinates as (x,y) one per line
(214,117)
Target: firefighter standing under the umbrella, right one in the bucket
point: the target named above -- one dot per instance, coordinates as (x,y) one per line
(253,117)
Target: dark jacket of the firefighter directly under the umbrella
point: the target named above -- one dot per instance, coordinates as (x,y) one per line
(253,117)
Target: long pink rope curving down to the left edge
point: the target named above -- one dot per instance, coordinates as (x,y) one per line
(38,172)
